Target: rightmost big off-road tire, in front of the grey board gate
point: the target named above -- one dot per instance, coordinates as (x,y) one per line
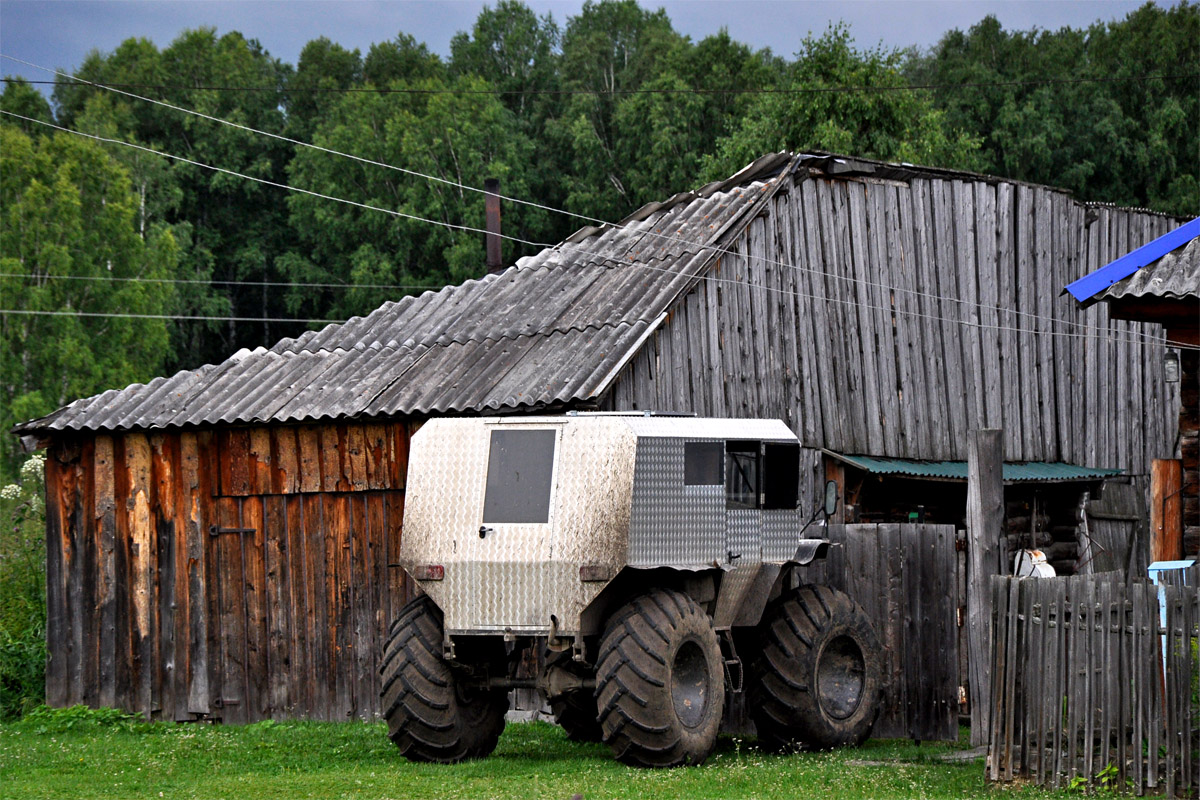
(817,682)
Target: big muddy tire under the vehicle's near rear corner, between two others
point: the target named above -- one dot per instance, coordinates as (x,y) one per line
(661,682)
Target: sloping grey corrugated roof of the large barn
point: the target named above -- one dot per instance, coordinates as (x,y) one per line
(556,328)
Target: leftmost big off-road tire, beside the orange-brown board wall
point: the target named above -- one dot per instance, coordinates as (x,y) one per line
(431,715)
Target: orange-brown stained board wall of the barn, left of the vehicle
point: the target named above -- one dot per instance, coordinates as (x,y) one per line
(280,613)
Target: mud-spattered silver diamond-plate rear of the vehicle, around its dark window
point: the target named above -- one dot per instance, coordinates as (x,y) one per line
(519,575)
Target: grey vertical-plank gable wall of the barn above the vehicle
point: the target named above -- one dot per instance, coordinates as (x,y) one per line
(890,318)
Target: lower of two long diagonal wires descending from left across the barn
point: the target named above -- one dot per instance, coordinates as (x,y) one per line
(1106,334)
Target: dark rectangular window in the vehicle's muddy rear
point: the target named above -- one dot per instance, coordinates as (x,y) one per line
(520,471)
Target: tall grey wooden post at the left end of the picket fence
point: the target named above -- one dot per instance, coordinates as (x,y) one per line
(986,525)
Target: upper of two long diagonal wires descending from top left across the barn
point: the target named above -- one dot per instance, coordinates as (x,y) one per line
(604,225)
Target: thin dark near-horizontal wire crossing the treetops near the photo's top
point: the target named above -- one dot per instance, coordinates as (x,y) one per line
(567,93)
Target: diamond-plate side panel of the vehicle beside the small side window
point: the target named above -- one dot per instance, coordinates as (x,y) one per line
(671,524)
